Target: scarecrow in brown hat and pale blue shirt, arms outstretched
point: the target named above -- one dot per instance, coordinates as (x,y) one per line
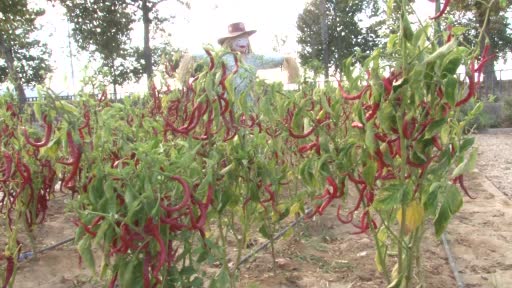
(237,41)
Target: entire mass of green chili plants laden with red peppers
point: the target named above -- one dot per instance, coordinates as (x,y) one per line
(182,177)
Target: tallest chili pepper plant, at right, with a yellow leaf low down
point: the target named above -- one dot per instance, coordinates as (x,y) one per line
(406,154)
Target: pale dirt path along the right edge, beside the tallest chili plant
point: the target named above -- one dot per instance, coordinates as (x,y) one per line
(481,234)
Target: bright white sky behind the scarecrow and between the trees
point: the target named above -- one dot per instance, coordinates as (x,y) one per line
(204,23)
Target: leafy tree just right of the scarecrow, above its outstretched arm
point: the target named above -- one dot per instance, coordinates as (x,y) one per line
(345,32)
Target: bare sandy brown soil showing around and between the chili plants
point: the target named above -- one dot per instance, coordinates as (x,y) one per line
(322,252)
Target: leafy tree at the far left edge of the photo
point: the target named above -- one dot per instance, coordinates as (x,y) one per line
(25,58)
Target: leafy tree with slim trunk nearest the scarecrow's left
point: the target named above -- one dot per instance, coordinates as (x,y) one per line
(105,26)
